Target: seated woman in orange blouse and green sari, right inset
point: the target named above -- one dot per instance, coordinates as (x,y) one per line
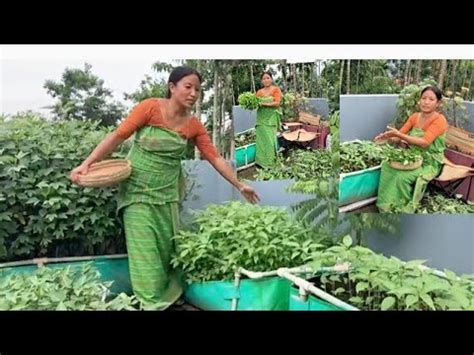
(425,132)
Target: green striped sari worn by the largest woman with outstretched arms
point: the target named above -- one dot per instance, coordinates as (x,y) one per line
(149,201)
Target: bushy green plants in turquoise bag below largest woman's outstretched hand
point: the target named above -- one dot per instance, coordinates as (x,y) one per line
(225,237)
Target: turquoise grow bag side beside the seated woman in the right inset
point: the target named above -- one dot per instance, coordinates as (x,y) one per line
(359,185)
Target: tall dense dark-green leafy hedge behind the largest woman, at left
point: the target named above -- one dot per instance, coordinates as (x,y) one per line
(41,212)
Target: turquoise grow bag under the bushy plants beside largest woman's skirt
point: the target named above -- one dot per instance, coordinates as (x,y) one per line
(263,294)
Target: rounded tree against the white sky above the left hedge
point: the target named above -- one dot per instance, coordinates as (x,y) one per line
(81,95)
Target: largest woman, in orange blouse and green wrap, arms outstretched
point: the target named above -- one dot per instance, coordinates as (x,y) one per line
(148,201)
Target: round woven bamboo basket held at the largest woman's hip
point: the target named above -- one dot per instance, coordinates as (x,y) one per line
(106,173)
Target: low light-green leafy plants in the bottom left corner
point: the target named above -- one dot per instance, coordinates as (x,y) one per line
(62,290)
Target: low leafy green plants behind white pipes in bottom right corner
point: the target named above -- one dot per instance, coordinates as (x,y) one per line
(376,282)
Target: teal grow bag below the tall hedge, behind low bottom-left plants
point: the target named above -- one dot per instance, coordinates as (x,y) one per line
(111,268)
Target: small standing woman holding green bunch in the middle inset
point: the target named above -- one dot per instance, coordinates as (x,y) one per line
(268,122)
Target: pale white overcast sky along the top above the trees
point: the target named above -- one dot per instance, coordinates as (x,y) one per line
(25,68)
